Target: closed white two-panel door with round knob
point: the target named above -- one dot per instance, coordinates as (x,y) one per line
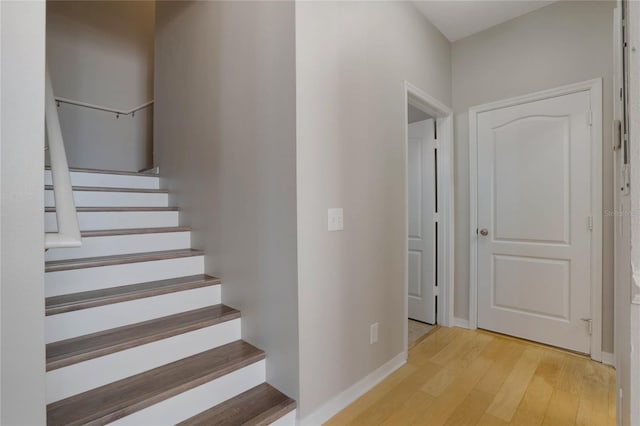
(534,216)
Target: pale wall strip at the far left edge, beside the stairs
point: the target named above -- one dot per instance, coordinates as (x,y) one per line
(22,385)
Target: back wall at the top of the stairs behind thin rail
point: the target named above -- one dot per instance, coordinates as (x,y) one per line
(101,52)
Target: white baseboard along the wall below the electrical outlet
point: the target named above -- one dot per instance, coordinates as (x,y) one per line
(336,404)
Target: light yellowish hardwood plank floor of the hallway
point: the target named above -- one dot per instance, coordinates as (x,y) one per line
(462,377)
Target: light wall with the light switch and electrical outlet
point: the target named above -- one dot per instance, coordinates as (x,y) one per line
(351,61)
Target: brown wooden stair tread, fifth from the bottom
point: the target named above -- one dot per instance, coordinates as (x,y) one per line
(119,259)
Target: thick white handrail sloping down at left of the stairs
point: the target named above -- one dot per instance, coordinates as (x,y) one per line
(68,234)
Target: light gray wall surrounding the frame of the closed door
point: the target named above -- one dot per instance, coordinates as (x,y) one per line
(563,43)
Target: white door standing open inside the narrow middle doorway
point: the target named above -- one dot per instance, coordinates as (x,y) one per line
(422,275)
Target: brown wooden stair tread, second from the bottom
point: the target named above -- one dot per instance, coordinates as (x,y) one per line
(123,397)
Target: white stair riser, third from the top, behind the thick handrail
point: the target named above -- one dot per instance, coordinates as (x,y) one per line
(117,220)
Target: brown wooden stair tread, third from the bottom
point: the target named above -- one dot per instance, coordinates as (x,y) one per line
(72,351)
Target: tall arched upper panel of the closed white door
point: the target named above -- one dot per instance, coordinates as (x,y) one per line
(539,199)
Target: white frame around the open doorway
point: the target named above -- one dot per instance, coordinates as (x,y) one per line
(444,115)
